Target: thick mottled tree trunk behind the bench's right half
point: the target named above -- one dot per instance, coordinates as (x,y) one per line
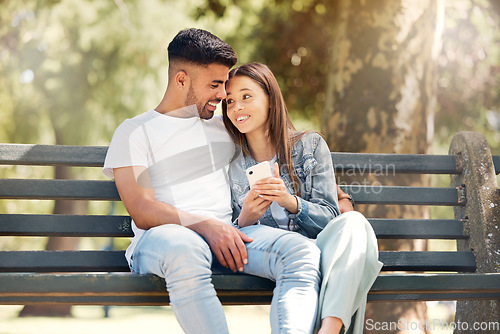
(381,98)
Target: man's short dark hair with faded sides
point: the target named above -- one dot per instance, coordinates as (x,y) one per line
(200,47)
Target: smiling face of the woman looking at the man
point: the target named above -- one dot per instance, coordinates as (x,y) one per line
(247,105)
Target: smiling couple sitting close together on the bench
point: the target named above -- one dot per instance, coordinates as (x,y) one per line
(181,174)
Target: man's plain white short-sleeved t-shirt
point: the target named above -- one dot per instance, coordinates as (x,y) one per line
(187,160)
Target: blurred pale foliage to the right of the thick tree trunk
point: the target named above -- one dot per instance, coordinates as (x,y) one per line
(469,65)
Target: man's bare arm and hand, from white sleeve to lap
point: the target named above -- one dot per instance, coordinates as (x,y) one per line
(137,194)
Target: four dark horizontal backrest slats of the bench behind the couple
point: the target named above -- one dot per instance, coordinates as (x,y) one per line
(119,226)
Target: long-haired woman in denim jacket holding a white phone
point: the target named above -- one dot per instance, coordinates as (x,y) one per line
(302,195)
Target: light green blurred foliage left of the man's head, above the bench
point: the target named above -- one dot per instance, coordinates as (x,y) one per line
(71,71)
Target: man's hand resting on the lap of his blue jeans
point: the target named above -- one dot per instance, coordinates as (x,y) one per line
(225,241)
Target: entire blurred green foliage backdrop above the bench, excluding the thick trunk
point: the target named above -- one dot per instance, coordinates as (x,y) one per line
(67,63)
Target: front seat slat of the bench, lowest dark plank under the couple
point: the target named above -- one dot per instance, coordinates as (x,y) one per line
(126,289)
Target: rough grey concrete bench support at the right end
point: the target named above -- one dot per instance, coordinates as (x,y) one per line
(481,215)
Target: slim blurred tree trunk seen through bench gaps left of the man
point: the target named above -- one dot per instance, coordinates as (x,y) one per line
(58,243)
